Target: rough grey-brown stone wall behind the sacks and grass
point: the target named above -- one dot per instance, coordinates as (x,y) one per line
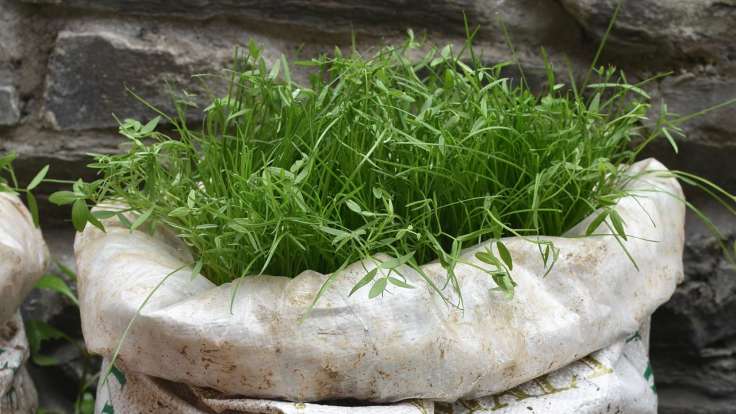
(66,67)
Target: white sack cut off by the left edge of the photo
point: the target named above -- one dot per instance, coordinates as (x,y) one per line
(23,259)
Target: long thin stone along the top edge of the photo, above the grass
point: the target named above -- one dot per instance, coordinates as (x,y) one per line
(528,19)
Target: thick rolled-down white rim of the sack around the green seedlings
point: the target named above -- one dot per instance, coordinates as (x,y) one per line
(407,344)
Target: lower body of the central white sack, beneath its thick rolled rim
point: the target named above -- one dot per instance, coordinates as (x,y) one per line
(616,379)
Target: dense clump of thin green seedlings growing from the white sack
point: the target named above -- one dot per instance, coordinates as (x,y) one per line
(416,158)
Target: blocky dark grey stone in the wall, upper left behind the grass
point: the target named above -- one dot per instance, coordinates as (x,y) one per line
(91,68)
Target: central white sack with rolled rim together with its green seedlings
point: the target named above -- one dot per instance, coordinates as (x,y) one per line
(395,230)
